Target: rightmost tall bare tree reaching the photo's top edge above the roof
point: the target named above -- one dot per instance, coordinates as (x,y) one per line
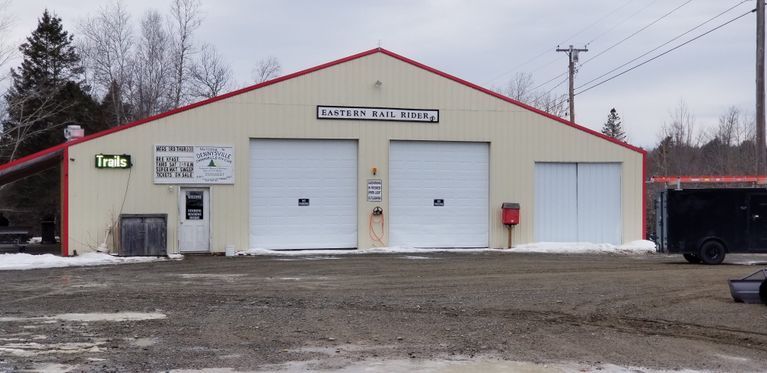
(184,18)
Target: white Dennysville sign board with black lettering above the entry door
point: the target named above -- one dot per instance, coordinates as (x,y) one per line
(193,164)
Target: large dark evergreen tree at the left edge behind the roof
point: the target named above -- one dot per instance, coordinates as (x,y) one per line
(47,94)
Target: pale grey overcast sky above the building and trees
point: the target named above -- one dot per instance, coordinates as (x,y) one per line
(486,41)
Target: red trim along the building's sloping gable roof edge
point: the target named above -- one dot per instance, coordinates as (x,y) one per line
(311,70)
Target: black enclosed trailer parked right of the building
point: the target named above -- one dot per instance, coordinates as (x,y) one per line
(705,224)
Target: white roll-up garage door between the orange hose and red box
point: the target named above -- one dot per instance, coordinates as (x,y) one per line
(439,194)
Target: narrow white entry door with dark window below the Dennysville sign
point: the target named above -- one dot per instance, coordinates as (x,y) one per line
(194,220)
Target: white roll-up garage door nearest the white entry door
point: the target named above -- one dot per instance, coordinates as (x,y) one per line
(303,194)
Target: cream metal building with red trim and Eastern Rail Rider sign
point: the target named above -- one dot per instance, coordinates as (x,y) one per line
(302,161)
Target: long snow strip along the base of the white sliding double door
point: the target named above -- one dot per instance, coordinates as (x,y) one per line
(634,247)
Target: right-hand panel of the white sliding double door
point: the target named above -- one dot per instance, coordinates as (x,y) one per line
(599,202)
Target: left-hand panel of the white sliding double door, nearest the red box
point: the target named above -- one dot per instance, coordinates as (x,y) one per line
(556,202)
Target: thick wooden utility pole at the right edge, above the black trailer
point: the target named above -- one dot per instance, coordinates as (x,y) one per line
(761,150)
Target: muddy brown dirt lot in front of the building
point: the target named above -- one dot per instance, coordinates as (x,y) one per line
(249,313)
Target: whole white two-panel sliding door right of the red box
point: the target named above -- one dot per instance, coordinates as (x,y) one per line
(578,202)
